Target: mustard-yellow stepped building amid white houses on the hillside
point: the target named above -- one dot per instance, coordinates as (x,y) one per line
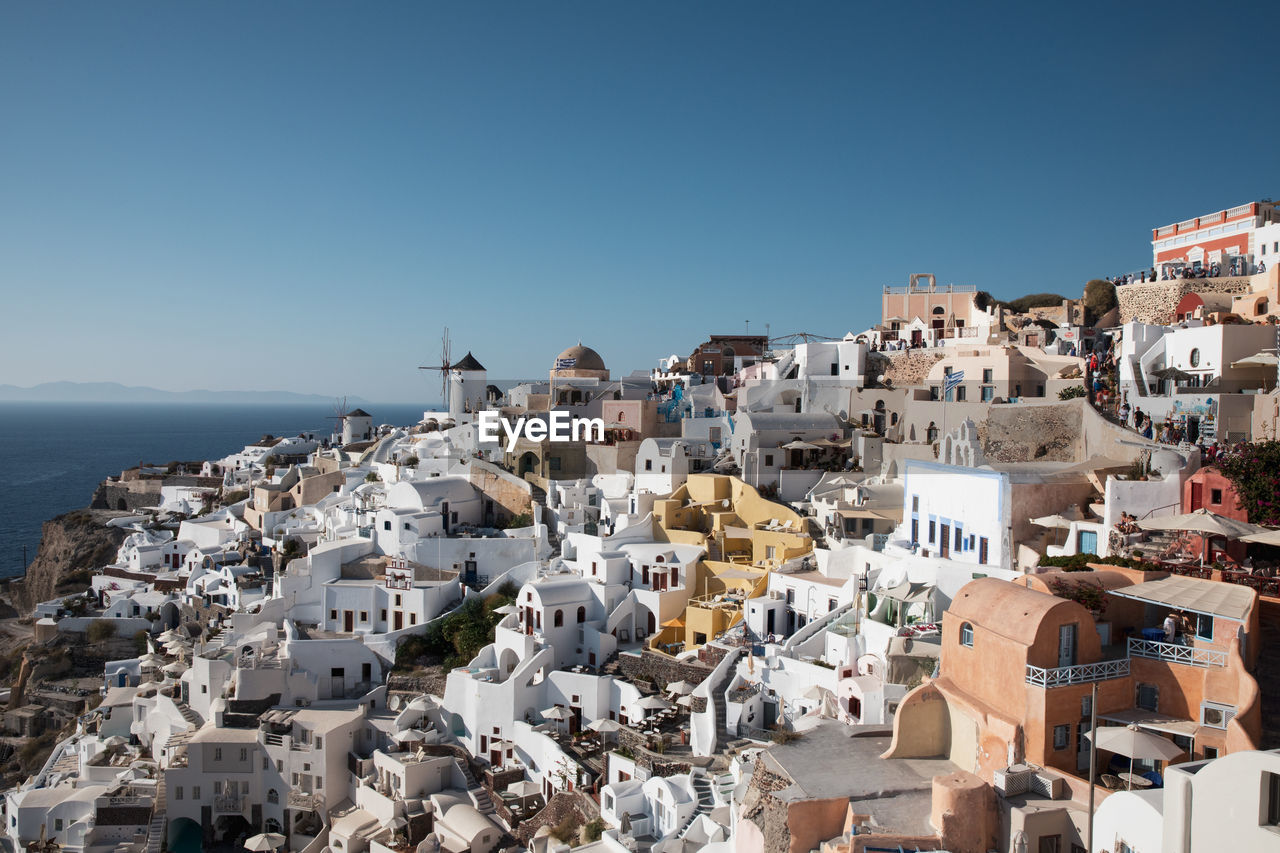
(746,537)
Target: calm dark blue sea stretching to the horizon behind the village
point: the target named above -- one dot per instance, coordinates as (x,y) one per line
(54,455)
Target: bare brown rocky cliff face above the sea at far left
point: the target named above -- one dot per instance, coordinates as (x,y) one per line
(68,544)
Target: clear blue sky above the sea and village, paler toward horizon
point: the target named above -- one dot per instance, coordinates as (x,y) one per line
(300,195)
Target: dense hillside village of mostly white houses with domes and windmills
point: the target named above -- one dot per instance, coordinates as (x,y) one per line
(984,577)
